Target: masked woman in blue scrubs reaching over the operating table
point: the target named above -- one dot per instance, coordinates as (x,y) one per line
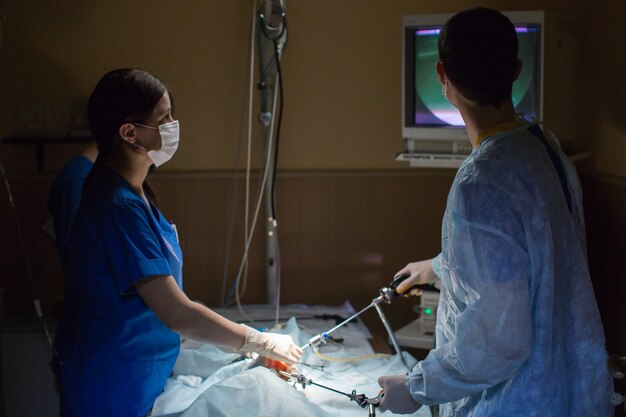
(125,308)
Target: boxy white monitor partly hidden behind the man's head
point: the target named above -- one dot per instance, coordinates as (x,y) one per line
(427,116)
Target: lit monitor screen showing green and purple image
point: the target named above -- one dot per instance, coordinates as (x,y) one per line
(424,104)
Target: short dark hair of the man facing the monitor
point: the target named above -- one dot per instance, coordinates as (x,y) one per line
(478,49)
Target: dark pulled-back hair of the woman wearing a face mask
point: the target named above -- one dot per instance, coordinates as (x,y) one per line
(122,95)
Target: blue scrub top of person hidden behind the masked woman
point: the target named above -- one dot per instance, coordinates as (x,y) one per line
(63,201)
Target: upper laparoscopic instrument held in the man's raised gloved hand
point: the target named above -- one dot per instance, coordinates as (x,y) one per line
(386,294)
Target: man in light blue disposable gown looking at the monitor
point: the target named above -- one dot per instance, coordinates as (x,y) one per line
(518,329)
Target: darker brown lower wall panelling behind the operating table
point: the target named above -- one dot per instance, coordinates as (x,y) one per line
(342,235)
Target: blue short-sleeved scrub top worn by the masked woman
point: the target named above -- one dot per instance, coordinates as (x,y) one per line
(116,353)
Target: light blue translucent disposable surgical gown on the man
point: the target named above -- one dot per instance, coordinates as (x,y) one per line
(518,329)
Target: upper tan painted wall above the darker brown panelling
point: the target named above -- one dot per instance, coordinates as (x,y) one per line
(342,74)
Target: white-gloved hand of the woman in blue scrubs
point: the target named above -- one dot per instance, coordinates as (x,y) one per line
(271,345)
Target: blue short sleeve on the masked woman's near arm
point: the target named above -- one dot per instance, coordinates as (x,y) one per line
(132,243)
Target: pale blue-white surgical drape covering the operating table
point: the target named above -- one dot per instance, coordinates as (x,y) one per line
(244,388)
